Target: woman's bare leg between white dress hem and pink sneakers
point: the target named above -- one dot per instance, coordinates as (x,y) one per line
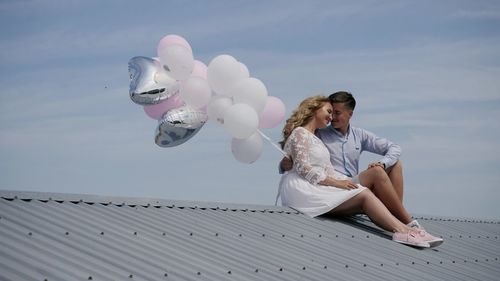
(366,202)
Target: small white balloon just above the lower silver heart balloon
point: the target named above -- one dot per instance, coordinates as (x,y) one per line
(195,92)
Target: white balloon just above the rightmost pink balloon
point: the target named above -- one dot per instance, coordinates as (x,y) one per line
(250,91)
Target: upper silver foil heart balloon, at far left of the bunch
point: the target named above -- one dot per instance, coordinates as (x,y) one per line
(144,89)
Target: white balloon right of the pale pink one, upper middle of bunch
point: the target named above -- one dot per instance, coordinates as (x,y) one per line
(222,72)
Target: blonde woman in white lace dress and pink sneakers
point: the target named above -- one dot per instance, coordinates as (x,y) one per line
(313,187)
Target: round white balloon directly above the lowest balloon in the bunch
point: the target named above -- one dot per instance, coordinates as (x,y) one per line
(241,120)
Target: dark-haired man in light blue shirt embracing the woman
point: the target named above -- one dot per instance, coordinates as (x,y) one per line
(346,143)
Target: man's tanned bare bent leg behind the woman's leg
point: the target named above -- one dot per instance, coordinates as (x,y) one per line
(380,184)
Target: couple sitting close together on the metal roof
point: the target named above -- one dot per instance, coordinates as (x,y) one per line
(322,169)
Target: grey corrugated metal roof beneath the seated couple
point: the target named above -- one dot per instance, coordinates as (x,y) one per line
(82,237)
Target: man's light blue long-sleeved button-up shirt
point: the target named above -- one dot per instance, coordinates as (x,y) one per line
(345,151)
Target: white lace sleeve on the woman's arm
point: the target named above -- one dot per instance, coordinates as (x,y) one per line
(299,146)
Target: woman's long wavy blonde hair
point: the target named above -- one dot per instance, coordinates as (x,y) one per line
(302,115)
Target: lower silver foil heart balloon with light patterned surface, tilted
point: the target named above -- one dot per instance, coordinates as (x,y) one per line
(178,125)
